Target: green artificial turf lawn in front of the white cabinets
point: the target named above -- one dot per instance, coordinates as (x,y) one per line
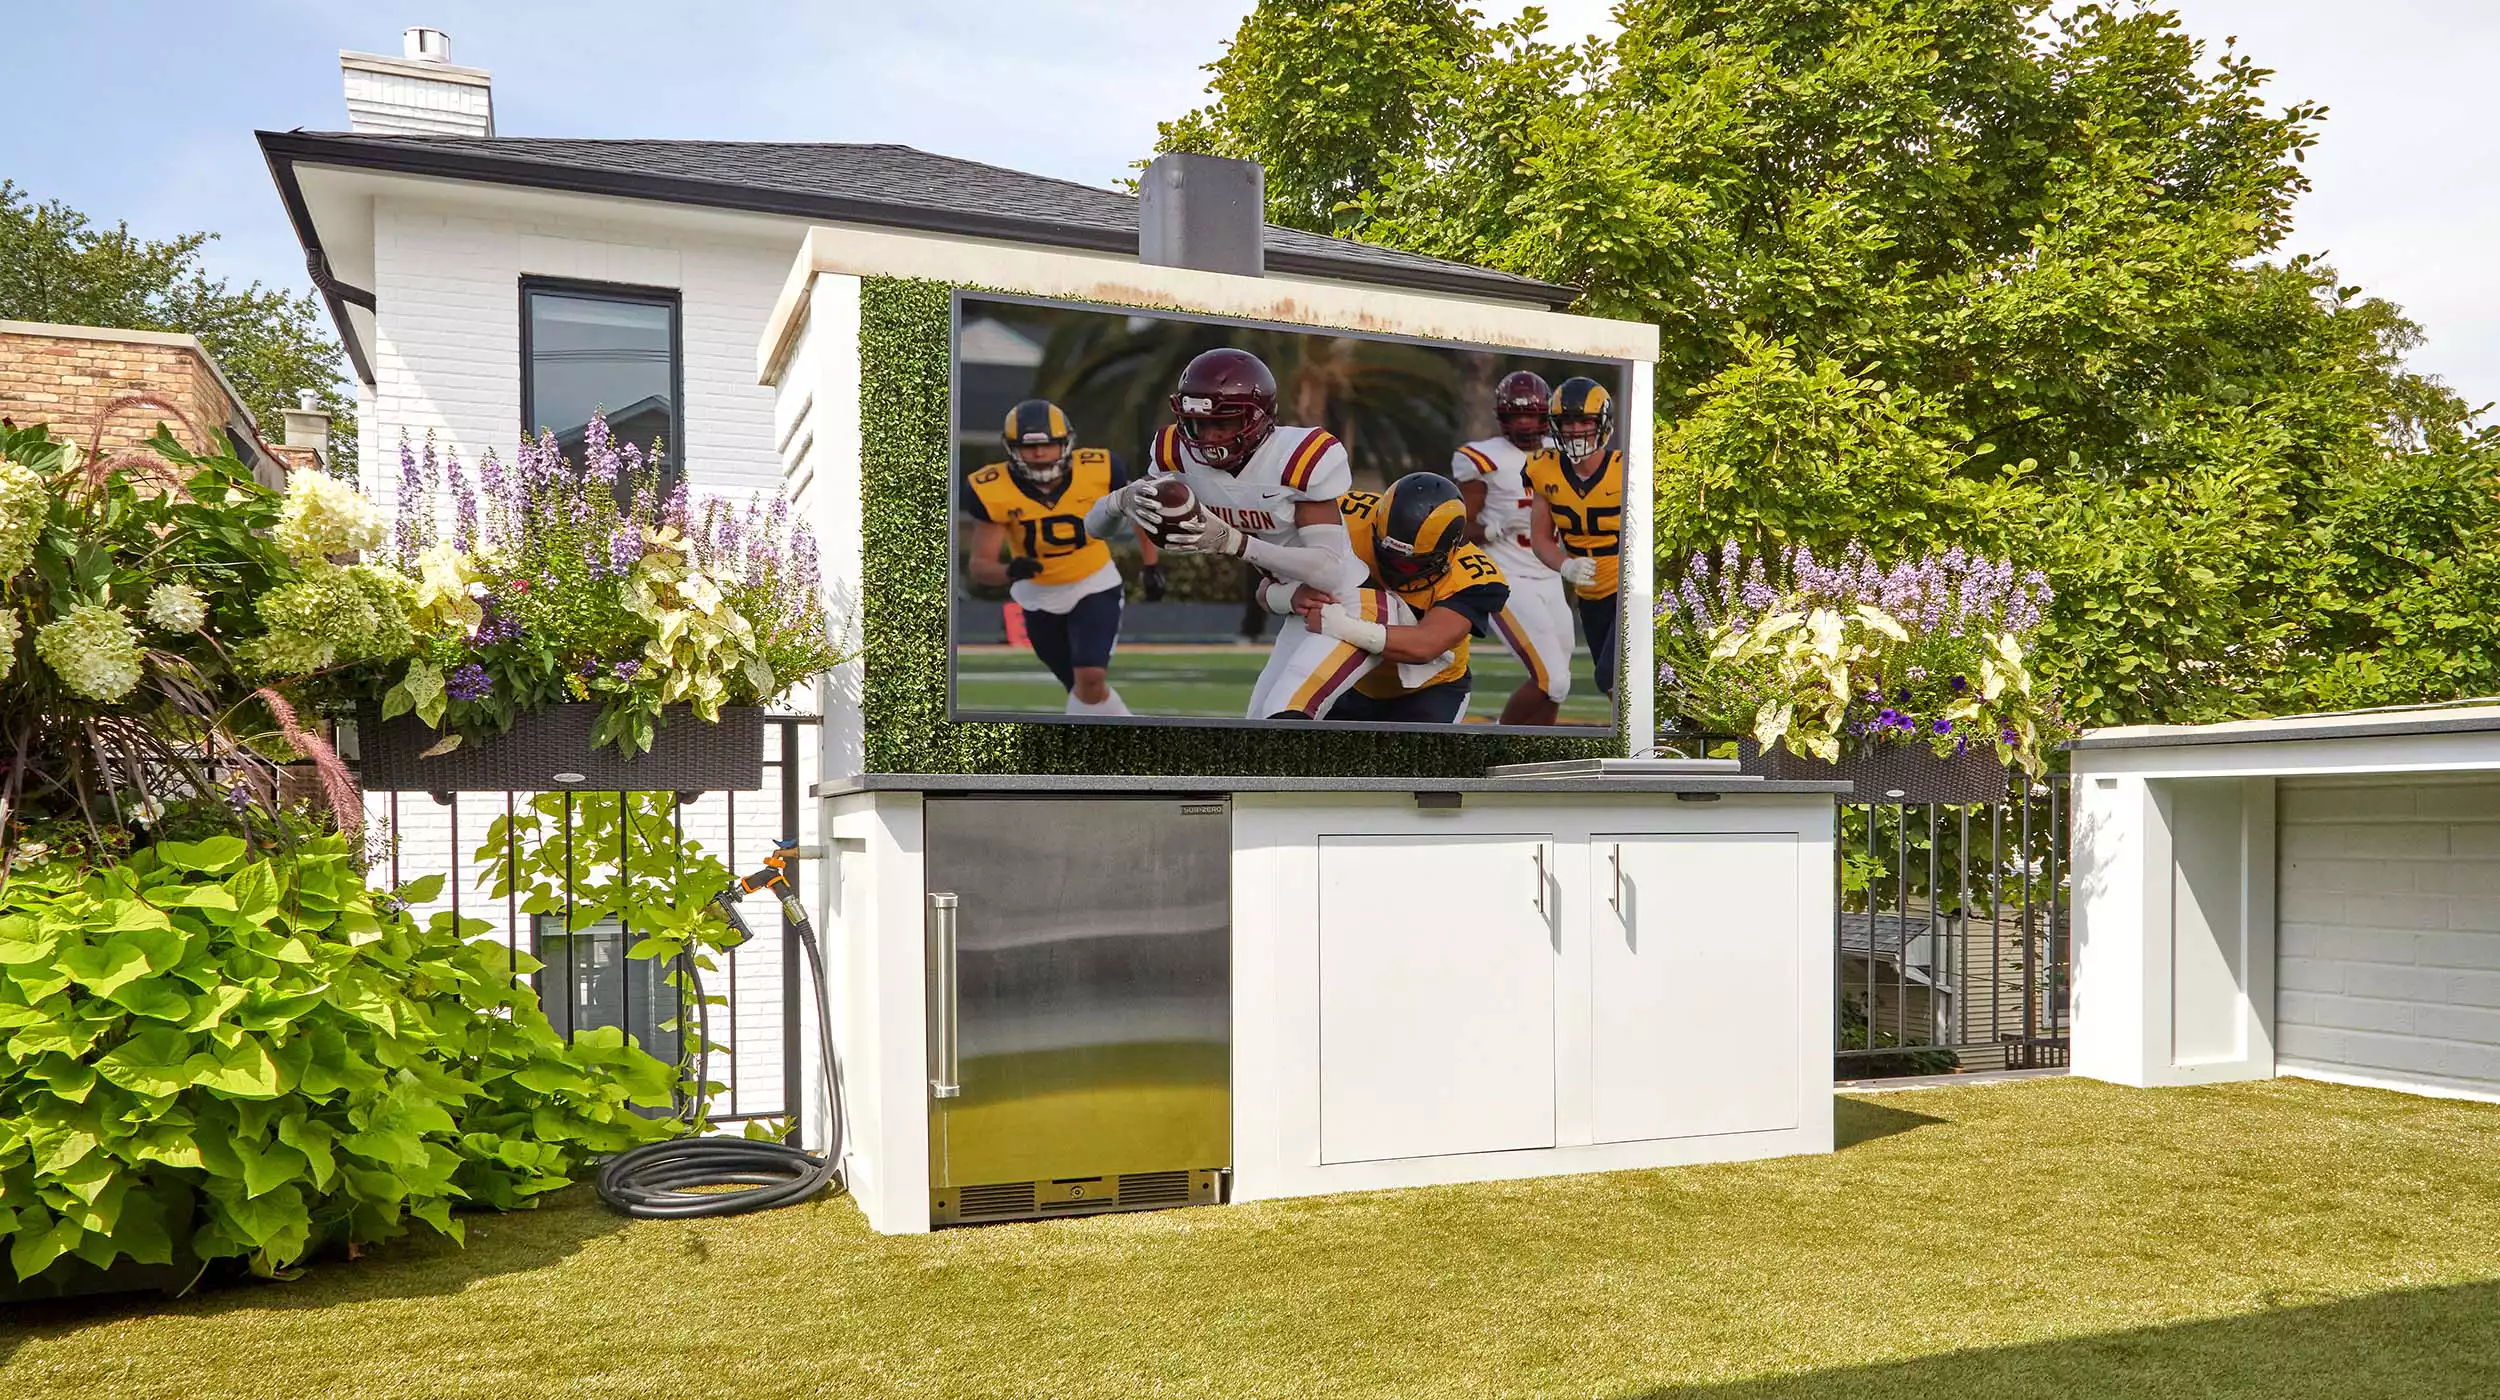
(2051,1239)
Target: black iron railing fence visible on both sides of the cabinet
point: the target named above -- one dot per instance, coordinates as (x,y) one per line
(1951,929)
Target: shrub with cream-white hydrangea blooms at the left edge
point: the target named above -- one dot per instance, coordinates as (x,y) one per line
(131,591)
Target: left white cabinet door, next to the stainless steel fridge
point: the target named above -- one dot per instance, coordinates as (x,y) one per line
(1436,996)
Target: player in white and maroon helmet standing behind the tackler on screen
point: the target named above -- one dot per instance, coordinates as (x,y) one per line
(1519,531)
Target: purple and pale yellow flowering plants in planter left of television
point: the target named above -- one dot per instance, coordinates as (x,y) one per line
(569,576)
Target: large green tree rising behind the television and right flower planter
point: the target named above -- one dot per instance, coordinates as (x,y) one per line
(1944,271)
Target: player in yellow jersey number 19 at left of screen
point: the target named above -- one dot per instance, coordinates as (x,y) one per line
(1029,531)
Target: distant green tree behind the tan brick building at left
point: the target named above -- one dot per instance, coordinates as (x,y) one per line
(61,266)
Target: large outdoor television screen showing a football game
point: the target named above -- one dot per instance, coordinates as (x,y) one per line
(1179,519)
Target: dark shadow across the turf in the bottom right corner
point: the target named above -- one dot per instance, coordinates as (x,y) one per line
(2386,1346)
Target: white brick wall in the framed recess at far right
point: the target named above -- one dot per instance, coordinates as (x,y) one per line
(2389,931)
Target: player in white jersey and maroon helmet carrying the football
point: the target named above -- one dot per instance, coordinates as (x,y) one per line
(1261,491)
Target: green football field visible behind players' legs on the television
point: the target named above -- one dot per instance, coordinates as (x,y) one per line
(1216,681)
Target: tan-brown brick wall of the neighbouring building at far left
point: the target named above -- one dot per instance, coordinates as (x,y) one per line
(66,376)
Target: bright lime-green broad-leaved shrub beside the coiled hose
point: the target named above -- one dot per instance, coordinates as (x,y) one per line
(224,1056)
